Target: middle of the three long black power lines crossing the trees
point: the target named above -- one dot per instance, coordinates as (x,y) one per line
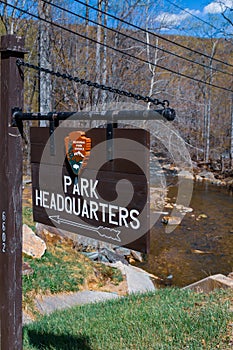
(137,40)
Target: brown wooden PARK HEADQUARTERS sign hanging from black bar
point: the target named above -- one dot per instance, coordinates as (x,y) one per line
(93,186)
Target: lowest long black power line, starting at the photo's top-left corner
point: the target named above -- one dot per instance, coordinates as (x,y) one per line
(119,51)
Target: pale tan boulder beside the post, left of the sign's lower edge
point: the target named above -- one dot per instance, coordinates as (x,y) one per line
(33,245)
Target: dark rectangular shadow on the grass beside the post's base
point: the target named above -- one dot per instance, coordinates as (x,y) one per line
(41,340)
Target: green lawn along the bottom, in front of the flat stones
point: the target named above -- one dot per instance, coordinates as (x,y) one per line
(168,319)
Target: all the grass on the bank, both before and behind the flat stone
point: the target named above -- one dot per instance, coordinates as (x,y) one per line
(169,319)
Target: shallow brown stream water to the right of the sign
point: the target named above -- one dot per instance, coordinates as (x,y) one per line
(199,246)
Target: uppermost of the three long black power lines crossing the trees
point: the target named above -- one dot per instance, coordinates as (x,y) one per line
(156,35)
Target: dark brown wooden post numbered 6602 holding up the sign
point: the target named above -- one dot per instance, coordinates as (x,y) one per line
(12,48)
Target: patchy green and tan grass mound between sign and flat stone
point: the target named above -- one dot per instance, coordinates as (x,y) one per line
(62,269)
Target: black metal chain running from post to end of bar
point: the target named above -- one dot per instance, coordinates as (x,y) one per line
(138,97)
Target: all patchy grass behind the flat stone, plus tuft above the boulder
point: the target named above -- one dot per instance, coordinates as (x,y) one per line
(62,269)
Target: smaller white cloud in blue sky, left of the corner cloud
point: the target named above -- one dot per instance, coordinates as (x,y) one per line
(168,18)
